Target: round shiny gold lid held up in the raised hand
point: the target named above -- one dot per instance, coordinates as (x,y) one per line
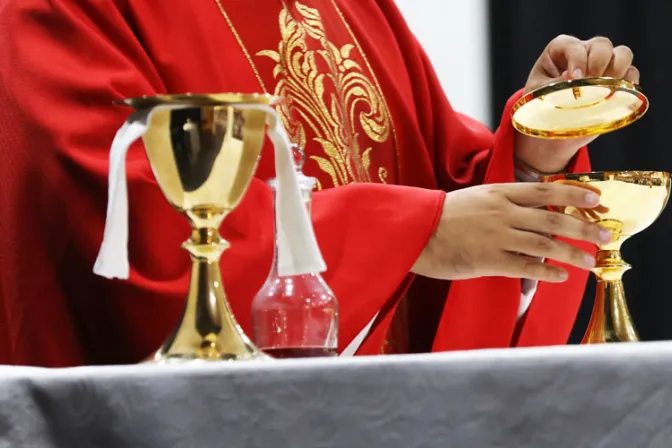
(579,108)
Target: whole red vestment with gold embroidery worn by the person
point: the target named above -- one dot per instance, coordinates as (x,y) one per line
(364,102)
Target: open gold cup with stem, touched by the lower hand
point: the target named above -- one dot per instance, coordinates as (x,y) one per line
(630,202)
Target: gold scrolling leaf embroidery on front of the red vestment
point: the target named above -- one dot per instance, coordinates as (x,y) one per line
(335,114)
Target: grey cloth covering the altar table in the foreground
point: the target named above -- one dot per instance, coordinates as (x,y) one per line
(570,397)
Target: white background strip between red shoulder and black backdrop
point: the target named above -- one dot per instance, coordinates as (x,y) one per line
(454,35)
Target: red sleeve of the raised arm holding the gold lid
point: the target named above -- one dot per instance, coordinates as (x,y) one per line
(478,313)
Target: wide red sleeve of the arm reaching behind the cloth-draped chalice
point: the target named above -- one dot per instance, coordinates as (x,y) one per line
(63,63)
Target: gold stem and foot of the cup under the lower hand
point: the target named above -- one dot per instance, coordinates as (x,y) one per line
(611,320)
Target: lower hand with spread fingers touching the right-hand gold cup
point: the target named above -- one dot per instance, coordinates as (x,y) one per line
(500,230)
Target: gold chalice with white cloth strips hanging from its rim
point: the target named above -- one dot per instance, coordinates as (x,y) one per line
(203,151)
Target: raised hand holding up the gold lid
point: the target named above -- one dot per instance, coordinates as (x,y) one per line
(564,58)
